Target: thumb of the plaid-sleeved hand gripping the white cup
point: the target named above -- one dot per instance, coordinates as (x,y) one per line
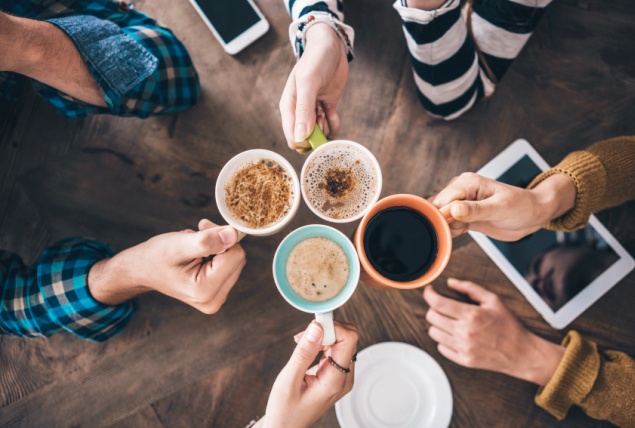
(206,242)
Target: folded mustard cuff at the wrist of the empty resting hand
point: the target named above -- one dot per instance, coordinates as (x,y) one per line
(574,377)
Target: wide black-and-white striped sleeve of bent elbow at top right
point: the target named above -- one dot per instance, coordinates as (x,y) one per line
(448,72)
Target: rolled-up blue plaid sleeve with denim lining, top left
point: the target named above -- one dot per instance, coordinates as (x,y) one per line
(141,68)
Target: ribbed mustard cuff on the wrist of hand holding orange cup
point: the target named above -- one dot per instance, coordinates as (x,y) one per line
(590,178)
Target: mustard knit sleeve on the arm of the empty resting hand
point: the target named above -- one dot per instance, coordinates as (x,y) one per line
(601,383)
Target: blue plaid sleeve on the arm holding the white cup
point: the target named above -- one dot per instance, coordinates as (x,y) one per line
(54,296)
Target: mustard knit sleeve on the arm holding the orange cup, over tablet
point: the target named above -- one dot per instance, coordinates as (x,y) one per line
(603,174)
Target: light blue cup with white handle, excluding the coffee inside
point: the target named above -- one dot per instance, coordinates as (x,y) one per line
(323,310)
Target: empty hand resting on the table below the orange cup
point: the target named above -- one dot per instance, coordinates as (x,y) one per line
(487,336)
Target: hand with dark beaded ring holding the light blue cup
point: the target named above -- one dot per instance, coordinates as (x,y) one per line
(301,395)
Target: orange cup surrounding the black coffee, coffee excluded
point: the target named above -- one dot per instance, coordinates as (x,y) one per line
(370,276)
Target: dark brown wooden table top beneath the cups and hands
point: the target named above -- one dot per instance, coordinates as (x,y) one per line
(124,180)
